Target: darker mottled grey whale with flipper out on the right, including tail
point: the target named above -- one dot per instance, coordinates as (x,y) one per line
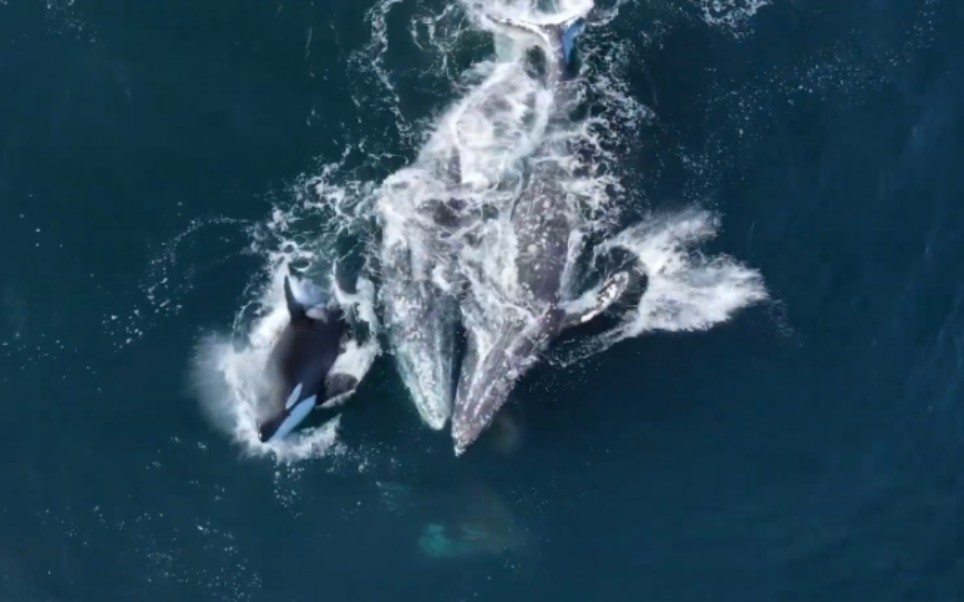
(518,305)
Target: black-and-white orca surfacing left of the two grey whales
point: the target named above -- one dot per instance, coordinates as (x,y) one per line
(303,366)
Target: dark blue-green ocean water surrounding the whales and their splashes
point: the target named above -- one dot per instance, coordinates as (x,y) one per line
(159,161)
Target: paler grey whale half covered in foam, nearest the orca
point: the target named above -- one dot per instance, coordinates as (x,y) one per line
(426,213)
